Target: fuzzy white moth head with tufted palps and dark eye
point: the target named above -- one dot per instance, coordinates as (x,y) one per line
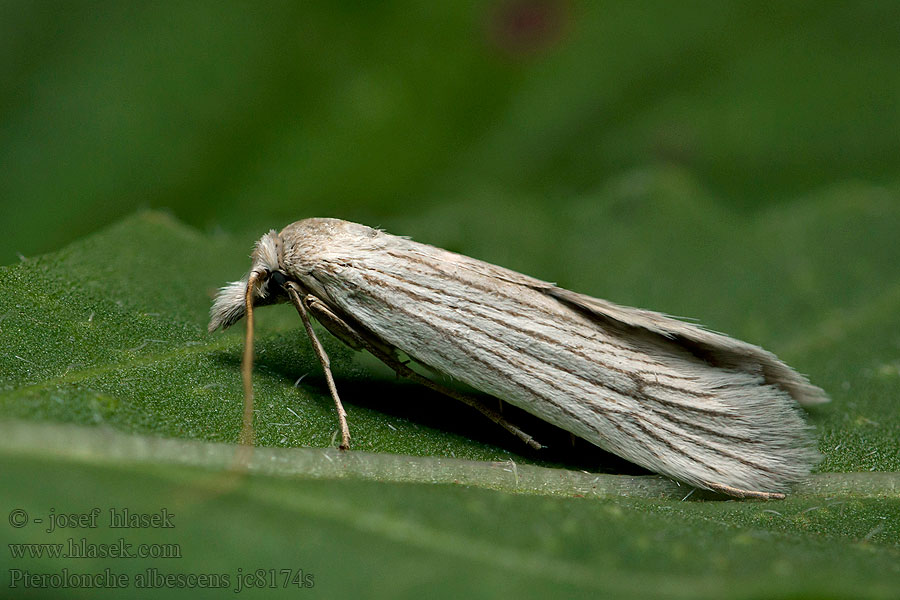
(264,282)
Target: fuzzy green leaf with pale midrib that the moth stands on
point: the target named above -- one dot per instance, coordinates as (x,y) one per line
(110,332)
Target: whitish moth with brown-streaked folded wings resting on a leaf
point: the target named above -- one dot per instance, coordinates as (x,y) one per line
(698,406)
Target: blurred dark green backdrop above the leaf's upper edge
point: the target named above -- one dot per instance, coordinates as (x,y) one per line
(245,116)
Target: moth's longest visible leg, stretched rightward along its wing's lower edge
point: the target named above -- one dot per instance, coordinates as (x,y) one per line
(387,354)
